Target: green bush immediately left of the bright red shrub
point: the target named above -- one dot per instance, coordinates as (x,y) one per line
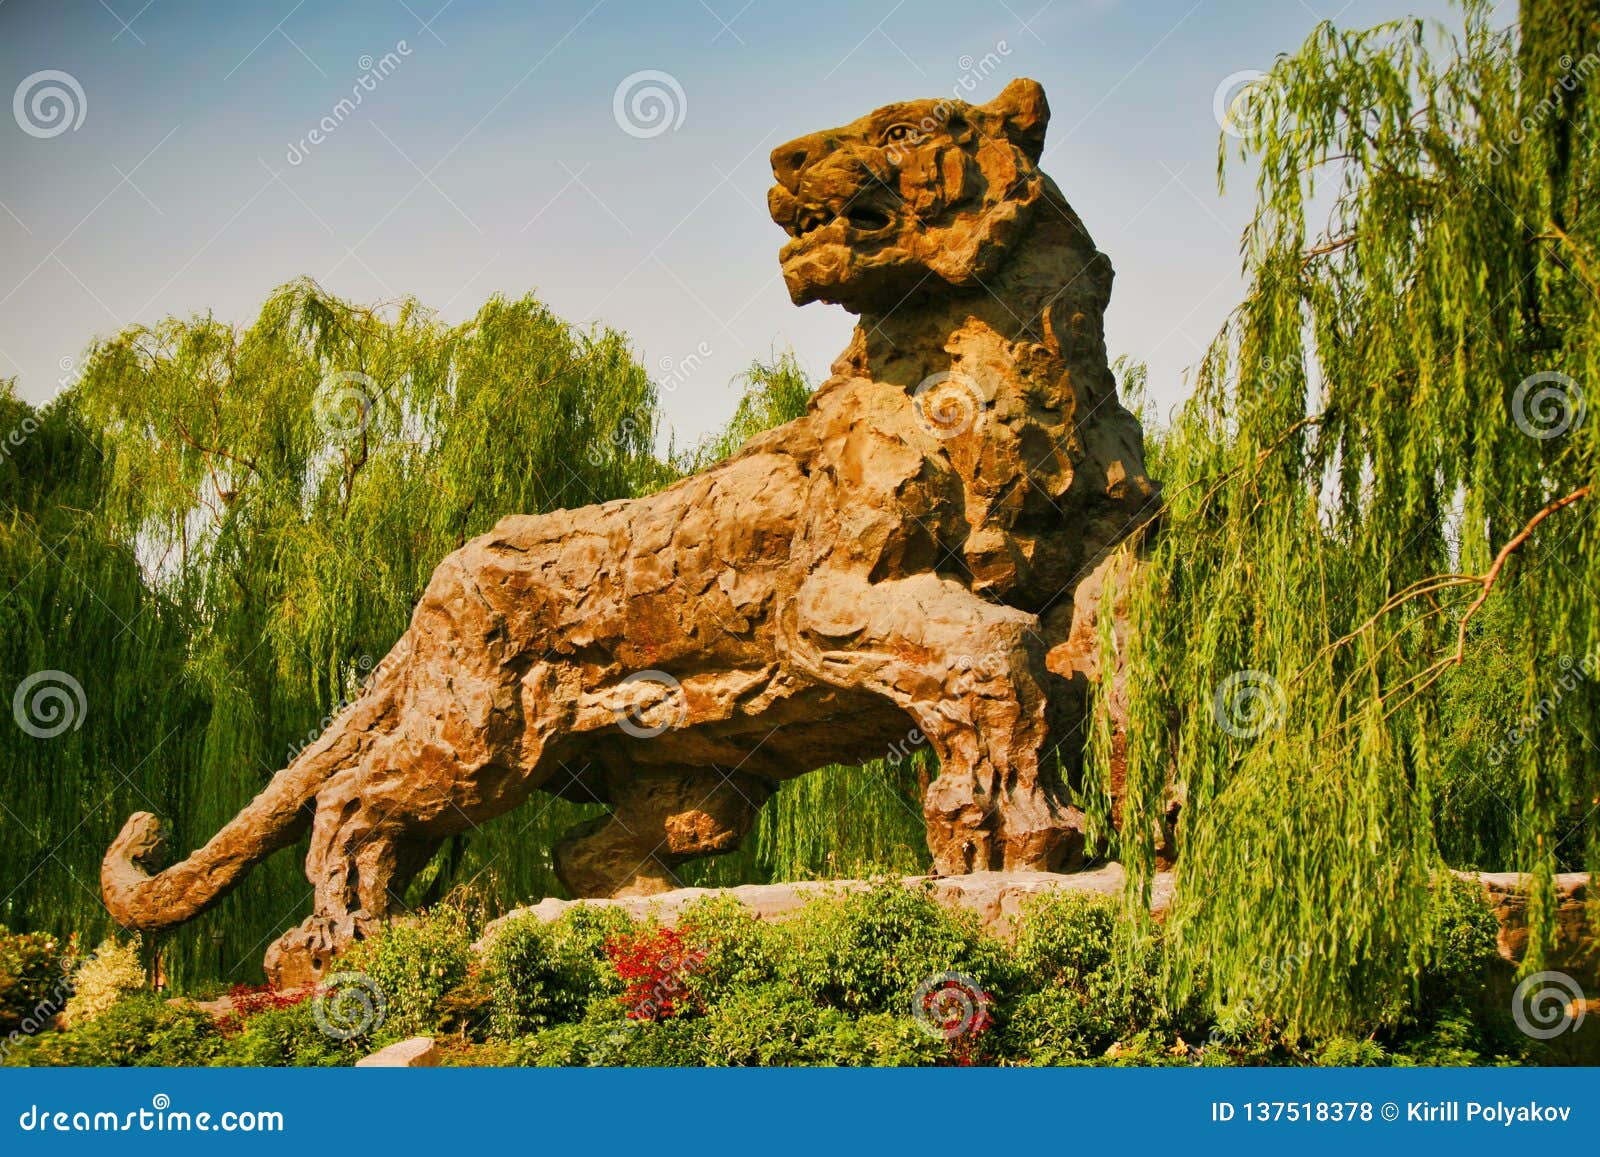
(548,974)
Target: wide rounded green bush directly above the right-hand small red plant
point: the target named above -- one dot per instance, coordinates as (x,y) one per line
(870,951)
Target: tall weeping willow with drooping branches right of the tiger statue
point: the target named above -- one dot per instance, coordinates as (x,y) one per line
(1380,497)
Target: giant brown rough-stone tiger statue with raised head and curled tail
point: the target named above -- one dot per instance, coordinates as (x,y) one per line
(903,558)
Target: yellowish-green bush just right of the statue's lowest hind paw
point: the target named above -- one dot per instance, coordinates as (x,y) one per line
(414,964)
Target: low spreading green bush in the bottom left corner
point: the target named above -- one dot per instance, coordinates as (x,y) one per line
(137,1031)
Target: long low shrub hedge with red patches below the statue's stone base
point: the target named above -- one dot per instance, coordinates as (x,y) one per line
(879,977)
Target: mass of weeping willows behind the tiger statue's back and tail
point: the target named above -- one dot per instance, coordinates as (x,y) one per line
(218,534)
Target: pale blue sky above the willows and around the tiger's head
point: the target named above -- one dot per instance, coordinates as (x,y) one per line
(490,159)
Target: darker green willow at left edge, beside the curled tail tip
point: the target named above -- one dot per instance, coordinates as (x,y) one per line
(98,715)
